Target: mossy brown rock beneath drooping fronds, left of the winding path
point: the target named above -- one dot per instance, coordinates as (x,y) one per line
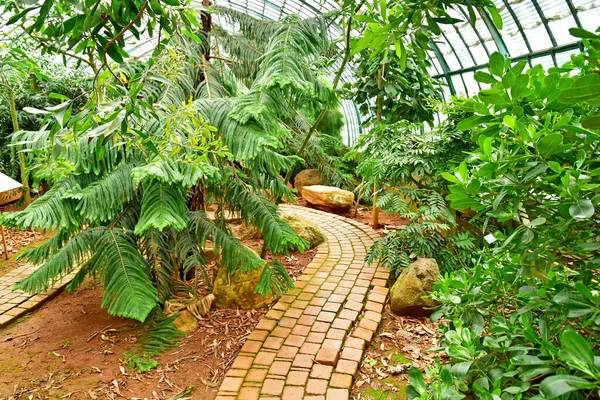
(237,291)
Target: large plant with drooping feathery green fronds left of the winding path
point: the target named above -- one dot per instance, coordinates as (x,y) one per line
(170,130)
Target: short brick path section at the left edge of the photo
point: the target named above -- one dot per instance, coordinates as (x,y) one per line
(14,304)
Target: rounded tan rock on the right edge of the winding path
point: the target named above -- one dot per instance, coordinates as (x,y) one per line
(406,296)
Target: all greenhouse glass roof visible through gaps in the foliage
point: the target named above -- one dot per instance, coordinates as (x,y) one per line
(534,30)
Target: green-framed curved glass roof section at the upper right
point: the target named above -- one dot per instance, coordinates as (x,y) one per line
(534,30)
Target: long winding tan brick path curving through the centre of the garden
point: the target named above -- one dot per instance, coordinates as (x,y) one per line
(310,344)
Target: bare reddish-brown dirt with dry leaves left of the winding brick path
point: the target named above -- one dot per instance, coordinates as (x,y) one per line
(71,348)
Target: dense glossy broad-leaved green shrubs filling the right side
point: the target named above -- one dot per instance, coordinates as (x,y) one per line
(523,322)
